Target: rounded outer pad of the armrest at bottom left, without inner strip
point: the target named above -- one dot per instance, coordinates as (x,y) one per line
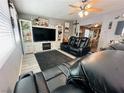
(26,84)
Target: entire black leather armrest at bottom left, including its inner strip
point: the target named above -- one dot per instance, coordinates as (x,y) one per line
(31,83)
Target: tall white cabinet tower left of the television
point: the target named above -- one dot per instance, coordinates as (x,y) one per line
(26,35)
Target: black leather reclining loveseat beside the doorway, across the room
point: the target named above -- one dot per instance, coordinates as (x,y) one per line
(76,46)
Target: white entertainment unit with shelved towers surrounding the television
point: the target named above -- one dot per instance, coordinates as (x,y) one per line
(29,46)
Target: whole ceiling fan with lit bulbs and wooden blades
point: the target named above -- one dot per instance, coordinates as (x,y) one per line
(83,8)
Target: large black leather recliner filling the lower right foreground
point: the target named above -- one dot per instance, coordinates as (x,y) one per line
(101,72)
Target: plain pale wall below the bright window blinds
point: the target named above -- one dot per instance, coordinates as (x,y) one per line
(10,71)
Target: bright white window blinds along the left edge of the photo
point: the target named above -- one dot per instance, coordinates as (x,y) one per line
(6,32)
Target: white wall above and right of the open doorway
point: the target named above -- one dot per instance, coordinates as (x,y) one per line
(106,34)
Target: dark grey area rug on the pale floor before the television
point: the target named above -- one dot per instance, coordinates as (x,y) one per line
(49,59)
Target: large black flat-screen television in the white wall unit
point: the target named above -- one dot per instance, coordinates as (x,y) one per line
(44,34)
